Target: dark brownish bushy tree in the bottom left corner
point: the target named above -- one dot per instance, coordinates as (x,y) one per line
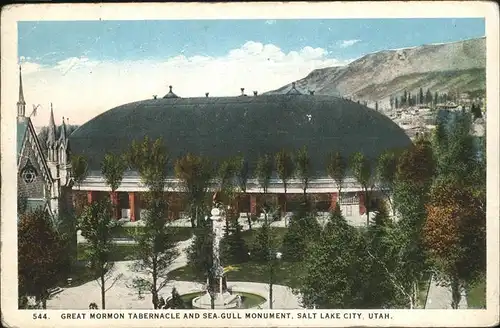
(42,260)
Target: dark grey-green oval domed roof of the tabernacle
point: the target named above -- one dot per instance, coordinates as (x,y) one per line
(221,127)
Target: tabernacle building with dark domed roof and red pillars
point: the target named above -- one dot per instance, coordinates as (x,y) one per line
(247,126)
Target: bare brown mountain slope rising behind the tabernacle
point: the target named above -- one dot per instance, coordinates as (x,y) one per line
(448,67)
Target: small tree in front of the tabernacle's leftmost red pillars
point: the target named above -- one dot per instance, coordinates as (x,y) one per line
(112,168)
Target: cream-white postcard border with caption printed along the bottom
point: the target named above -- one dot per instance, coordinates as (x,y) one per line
(11,14)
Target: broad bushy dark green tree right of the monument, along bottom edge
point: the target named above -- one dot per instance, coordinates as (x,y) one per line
(335,268)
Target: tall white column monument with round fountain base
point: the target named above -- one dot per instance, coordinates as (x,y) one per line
(217,284)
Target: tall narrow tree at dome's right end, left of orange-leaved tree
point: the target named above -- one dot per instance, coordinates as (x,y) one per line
(415,173)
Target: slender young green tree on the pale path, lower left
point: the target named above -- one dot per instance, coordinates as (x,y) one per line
(96,224)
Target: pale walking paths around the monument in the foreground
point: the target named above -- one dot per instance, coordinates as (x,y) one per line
(123,296)
